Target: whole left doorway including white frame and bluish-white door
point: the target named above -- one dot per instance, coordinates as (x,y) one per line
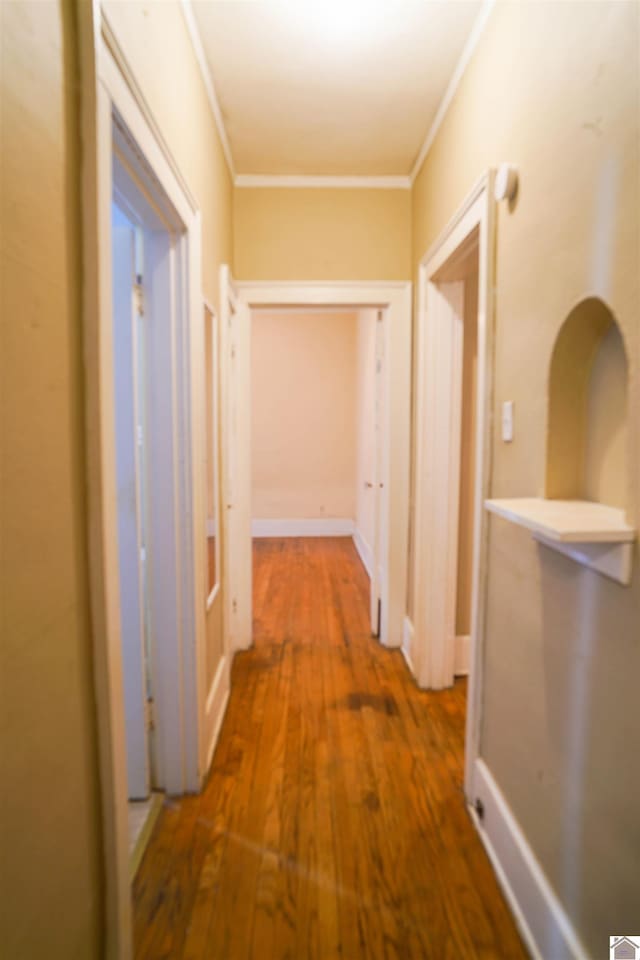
(151,335)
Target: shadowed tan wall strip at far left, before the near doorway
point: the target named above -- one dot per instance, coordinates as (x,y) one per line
(50,873)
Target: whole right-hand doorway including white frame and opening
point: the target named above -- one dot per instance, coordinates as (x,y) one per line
(453,457)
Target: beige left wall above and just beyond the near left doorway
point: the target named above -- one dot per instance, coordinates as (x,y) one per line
(172,85)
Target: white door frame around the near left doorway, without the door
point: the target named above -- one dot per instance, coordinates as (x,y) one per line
(110,94)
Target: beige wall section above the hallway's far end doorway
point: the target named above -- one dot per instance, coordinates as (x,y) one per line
(318,234)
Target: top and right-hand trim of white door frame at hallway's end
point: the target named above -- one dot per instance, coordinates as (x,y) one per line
(395,300)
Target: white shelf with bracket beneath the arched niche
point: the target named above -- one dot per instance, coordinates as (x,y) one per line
(592,534)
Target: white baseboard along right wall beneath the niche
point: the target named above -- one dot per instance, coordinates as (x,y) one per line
(543,923)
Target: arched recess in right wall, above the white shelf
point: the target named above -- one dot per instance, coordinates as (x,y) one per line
(587,420)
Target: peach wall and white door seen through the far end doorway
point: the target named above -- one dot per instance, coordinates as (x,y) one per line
(318,433)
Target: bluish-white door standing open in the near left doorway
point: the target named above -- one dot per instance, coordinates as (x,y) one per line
(129,451)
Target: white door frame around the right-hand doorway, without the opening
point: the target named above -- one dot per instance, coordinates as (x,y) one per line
(438,395)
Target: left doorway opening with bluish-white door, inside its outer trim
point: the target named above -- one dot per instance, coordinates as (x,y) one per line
(143,235)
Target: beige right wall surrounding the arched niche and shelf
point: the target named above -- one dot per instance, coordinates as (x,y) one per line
(554,89)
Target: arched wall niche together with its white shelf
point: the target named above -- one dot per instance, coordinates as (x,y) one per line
(583,512)
